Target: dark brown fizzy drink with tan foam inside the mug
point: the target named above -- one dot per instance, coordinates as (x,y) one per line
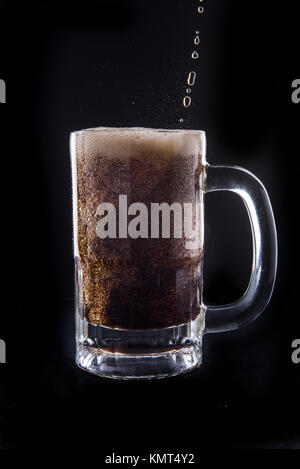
(142,283)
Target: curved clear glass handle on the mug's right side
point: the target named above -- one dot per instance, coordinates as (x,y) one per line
(264,265)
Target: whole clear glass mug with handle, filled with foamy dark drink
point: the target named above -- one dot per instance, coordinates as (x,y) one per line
(138,213)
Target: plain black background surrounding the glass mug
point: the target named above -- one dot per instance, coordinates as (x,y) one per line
(69,66)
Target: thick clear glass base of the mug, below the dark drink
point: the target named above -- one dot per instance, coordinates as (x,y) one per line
(139,354)
